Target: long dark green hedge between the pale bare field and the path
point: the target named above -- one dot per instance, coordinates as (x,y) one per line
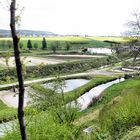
(63,68)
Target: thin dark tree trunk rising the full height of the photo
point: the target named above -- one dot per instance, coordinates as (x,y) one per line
(18,69)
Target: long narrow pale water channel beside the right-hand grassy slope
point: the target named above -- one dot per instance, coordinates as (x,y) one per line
(85,100)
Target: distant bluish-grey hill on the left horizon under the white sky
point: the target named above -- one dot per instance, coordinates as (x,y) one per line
(7,33)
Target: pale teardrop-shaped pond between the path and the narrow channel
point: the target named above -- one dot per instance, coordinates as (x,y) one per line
(68,85)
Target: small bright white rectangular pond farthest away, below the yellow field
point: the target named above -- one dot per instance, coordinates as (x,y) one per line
(100,50)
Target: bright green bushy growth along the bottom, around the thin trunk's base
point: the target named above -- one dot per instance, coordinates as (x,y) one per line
(44,127)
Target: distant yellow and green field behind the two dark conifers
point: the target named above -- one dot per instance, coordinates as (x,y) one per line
(76,42)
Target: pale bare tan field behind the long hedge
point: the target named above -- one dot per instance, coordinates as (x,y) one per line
(45,60)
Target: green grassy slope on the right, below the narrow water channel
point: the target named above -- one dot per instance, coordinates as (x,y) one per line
(120,115)
